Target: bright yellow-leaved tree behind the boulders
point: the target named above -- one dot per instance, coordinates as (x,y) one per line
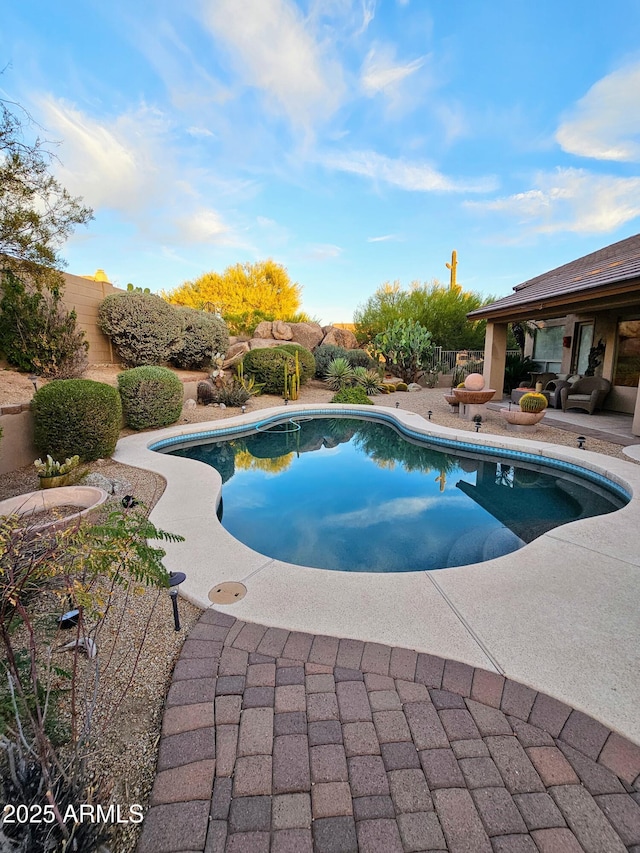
(243,295)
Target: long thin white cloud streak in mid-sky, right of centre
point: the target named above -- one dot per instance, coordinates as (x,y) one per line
(415,177)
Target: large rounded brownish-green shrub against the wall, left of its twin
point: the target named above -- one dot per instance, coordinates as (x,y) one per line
(143,327)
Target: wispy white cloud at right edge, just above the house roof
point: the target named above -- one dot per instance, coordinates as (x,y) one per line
(571,200)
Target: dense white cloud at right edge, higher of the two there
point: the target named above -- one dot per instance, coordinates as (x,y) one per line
(605,123)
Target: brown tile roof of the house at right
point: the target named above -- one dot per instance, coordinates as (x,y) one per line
(616,263)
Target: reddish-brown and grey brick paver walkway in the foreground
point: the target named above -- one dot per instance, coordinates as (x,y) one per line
(292,743)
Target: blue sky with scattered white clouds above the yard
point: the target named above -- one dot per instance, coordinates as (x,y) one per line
(353,141)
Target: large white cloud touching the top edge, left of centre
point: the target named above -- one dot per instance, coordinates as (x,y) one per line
(272,50)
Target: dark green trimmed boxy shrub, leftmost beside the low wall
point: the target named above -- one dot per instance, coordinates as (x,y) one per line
(76,416)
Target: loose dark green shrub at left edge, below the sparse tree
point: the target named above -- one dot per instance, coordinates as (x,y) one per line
(37,333)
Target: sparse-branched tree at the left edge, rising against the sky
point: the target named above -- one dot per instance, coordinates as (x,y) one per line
(36,213)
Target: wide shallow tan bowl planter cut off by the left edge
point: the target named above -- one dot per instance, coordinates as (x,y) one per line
(85,498)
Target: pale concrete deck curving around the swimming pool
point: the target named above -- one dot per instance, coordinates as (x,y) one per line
(561,615)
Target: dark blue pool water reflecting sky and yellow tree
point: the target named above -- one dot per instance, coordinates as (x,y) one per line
(355,495)
